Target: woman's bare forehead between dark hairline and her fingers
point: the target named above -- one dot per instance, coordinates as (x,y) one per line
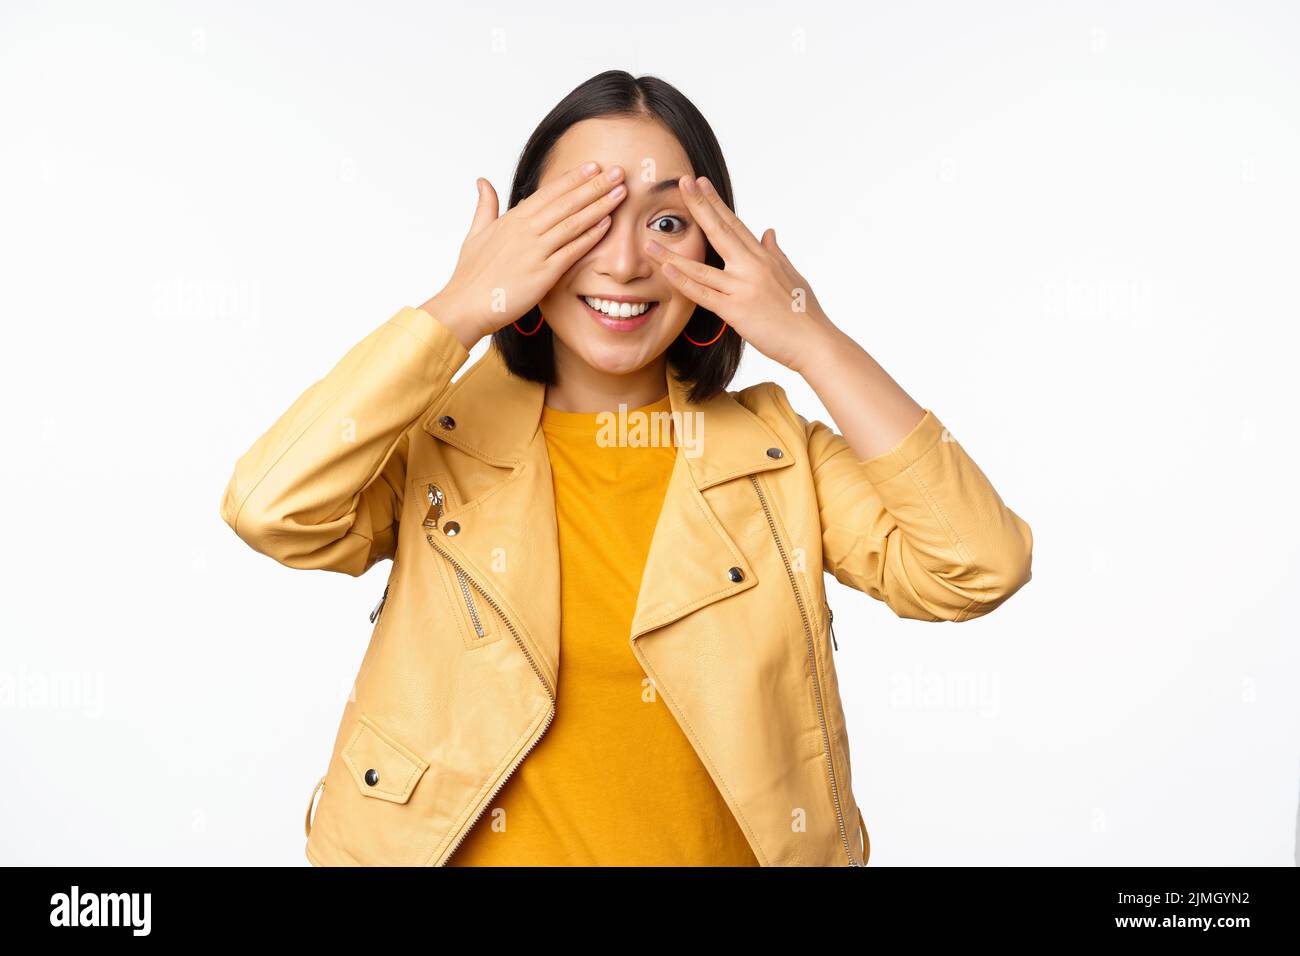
(645,149)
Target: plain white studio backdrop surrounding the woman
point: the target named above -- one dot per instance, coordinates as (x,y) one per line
(1071,230)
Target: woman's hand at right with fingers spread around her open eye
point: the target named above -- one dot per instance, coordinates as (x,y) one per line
(759,292)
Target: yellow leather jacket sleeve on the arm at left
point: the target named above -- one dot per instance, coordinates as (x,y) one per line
(323,487)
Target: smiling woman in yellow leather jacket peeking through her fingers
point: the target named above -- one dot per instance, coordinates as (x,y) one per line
(605,637)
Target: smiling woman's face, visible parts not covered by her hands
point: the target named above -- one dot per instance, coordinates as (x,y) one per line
(618,266)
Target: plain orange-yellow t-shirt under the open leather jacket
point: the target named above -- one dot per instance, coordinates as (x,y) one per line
(614,781)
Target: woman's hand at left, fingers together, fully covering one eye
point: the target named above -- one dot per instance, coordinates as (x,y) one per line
(509,263)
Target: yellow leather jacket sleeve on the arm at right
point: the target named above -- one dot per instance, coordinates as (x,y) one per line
(918,527)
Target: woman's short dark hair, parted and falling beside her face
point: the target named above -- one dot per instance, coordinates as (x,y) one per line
(617,93)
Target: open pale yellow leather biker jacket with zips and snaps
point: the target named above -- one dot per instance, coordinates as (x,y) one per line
(387,457)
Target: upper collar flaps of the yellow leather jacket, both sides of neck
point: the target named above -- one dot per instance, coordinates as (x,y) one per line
(497,414)
